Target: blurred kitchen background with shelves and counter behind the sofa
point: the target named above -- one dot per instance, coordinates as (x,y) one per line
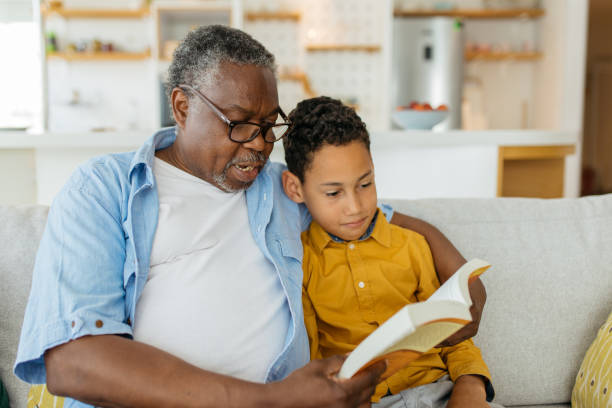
(463,98)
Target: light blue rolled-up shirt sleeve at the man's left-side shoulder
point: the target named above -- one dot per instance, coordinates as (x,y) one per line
(77,284)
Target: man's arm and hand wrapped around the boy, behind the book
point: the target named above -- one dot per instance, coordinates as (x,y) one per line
(447,260)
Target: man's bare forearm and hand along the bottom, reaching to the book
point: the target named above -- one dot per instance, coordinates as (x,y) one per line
(112,371)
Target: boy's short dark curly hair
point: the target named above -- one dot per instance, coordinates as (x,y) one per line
(317,122)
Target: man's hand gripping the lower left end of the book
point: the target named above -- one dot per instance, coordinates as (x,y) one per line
(315,385)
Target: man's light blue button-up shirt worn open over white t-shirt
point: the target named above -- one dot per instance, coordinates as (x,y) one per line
(93,258)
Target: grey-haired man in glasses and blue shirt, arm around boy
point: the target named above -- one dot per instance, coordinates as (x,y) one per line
(171,276)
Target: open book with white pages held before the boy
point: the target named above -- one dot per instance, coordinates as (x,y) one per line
(418,327)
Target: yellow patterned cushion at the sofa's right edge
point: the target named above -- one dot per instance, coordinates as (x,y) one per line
(593,388)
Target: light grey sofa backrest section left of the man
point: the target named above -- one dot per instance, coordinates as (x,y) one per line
(20,232)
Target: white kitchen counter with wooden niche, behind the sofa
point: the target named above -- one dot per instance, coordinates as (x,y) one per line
(409,164)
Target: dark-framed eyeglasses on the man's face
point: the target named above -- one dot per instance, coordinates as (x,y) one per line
(244,131)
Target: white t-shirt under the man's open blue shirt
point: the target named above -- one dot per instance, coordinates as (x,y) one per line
(211,297)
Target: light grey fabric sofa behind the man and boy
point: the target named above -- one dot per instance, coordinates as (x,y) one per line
(549,289)
